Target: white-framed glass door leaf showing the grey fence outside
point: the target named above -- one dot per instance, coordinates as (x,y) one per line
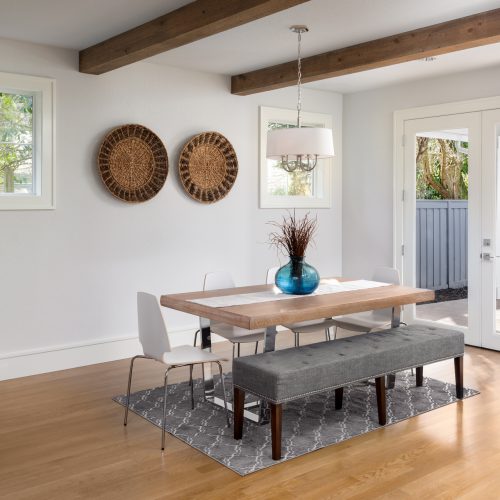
(442,213)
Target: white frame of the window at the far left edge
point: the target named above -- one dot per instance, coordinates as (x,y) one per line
(43,91)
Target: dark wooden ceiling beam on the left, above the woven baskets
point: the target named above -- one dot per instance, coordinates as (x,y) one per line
(187,24)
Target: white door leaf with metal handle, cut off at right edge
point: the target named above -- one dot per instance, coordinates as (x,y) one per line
(490,248)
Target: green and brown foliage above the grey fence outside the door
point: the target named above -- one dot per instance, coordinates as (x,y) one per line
(442,169)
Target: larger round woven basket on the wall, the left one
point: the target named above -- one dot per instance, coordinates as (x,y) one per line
(133,163)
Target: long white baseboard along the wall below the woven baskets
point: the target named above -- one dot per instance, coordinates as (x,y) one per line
(62,357)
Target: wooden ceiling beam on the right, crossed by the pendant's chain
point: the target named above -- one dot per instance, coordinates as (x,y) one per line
(458,34)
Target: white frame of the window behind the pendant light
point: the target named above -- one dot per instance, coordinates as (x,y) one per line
(322,173)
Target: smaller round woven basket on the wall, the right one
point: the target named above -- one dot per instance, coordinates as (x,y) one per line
(208,167)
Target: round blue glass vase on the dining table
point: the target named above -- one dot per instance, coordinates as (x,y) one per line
(297,277)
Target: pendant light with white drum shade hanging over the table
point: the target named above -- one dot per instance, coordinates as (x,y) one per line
(299,148)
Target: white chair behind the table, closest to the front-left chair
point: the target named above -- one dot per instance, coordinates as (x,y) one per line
(237,336)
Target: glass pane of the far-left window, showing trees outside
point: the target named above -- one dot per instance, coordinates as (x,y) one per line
(16,144)
